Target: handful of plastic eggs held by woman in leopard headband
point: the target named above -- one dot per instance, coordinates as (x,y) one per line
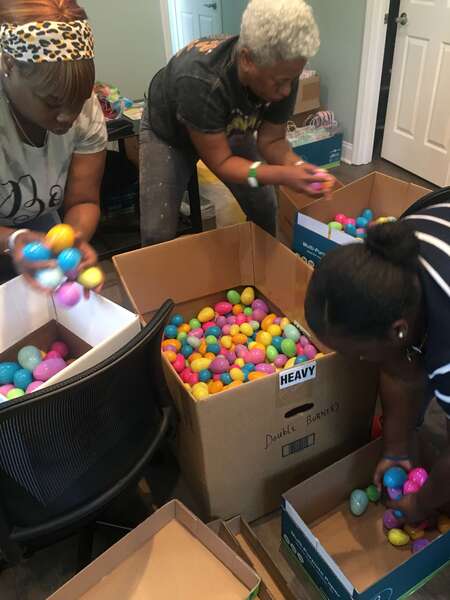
(64,279)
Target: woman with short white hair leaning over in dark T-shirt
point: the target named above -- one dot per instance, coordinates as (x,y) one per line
(211,100)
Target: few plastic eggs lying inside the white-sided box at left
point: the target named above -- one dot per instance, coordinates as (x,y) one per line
(33,368)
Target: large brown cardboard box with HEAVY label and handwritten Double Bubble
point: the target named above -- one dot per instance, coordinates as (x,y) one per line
(242,448)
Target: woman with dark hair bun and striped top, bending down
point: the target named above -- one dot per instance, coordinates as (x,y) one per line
(388,301)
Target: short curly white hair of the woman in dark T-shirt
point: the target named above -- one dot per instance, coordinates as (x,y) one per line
(279,30)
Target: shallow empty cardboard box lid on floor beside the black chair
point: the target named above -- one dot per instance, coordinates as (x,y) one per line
(171,556)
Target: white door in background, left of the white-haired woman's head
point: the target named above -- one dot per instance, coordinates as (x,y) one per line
(196,19)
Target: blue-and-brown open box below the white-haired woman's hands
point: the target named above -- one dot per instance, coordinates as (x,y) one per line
(385,195)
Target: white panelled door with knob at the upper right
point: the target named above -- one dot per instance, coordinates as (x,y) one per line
(417,130)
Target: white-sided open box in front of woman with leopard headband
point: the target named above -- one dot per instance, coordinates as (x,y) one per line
(93,330)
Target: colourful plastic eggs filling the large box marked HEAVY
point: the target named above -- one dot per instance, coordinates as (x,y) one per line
(235,341)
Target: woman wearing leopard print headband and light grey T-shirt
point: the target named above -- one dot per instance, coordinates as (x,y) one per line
(52,131)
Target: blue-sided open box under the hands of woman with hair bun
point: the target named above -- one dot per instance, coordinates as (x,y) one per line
(350,557)
